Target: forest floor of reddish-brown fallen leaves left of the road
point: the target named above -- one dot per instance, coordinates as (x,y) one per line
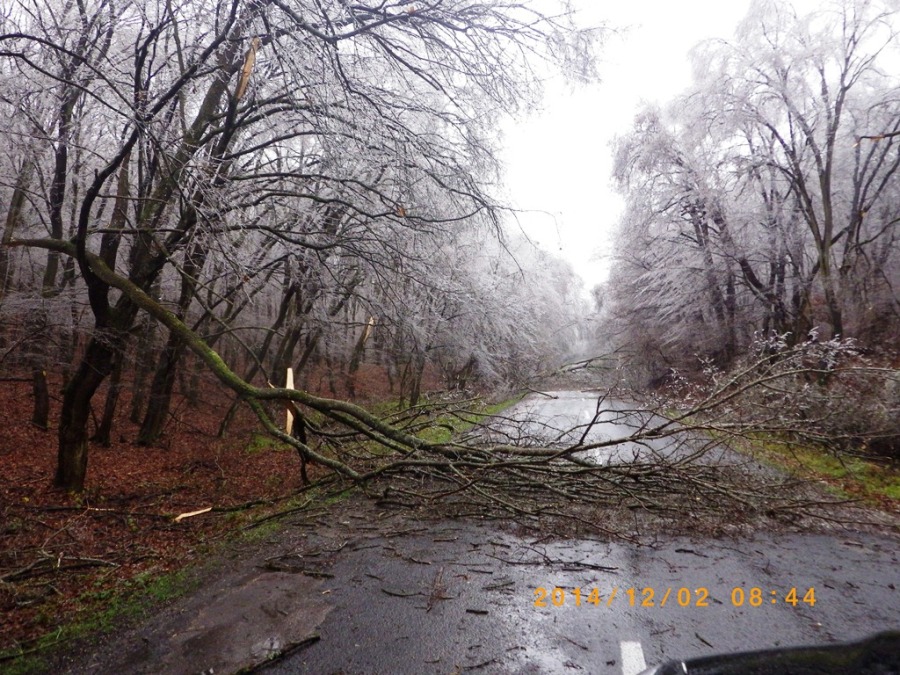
(71,564)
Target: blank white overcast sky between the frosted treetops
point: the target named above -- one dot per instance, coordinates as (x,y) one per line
(559,162)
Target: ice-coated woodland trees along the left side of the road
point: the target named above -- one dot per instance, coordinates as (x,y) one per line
(270,185)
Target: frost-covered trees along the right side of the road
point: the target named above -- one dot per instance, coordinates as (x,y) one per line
(763,203)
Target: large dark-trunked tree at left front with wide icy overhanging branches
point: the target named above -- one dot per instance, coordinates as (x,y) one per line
(207,127)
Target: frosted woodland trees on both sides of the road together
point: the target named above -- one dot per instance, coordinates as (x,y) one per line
(245,187)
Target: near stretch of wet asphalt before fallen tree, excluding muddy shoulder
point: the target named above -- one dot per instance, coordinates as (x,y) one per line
(457,598)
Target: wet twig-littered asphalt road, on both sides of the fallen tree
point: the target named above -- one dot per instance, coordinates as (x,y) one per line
(377,591)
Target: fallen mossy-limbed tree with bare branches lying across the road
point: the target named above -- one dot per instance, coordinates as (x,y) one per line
(680,466)
